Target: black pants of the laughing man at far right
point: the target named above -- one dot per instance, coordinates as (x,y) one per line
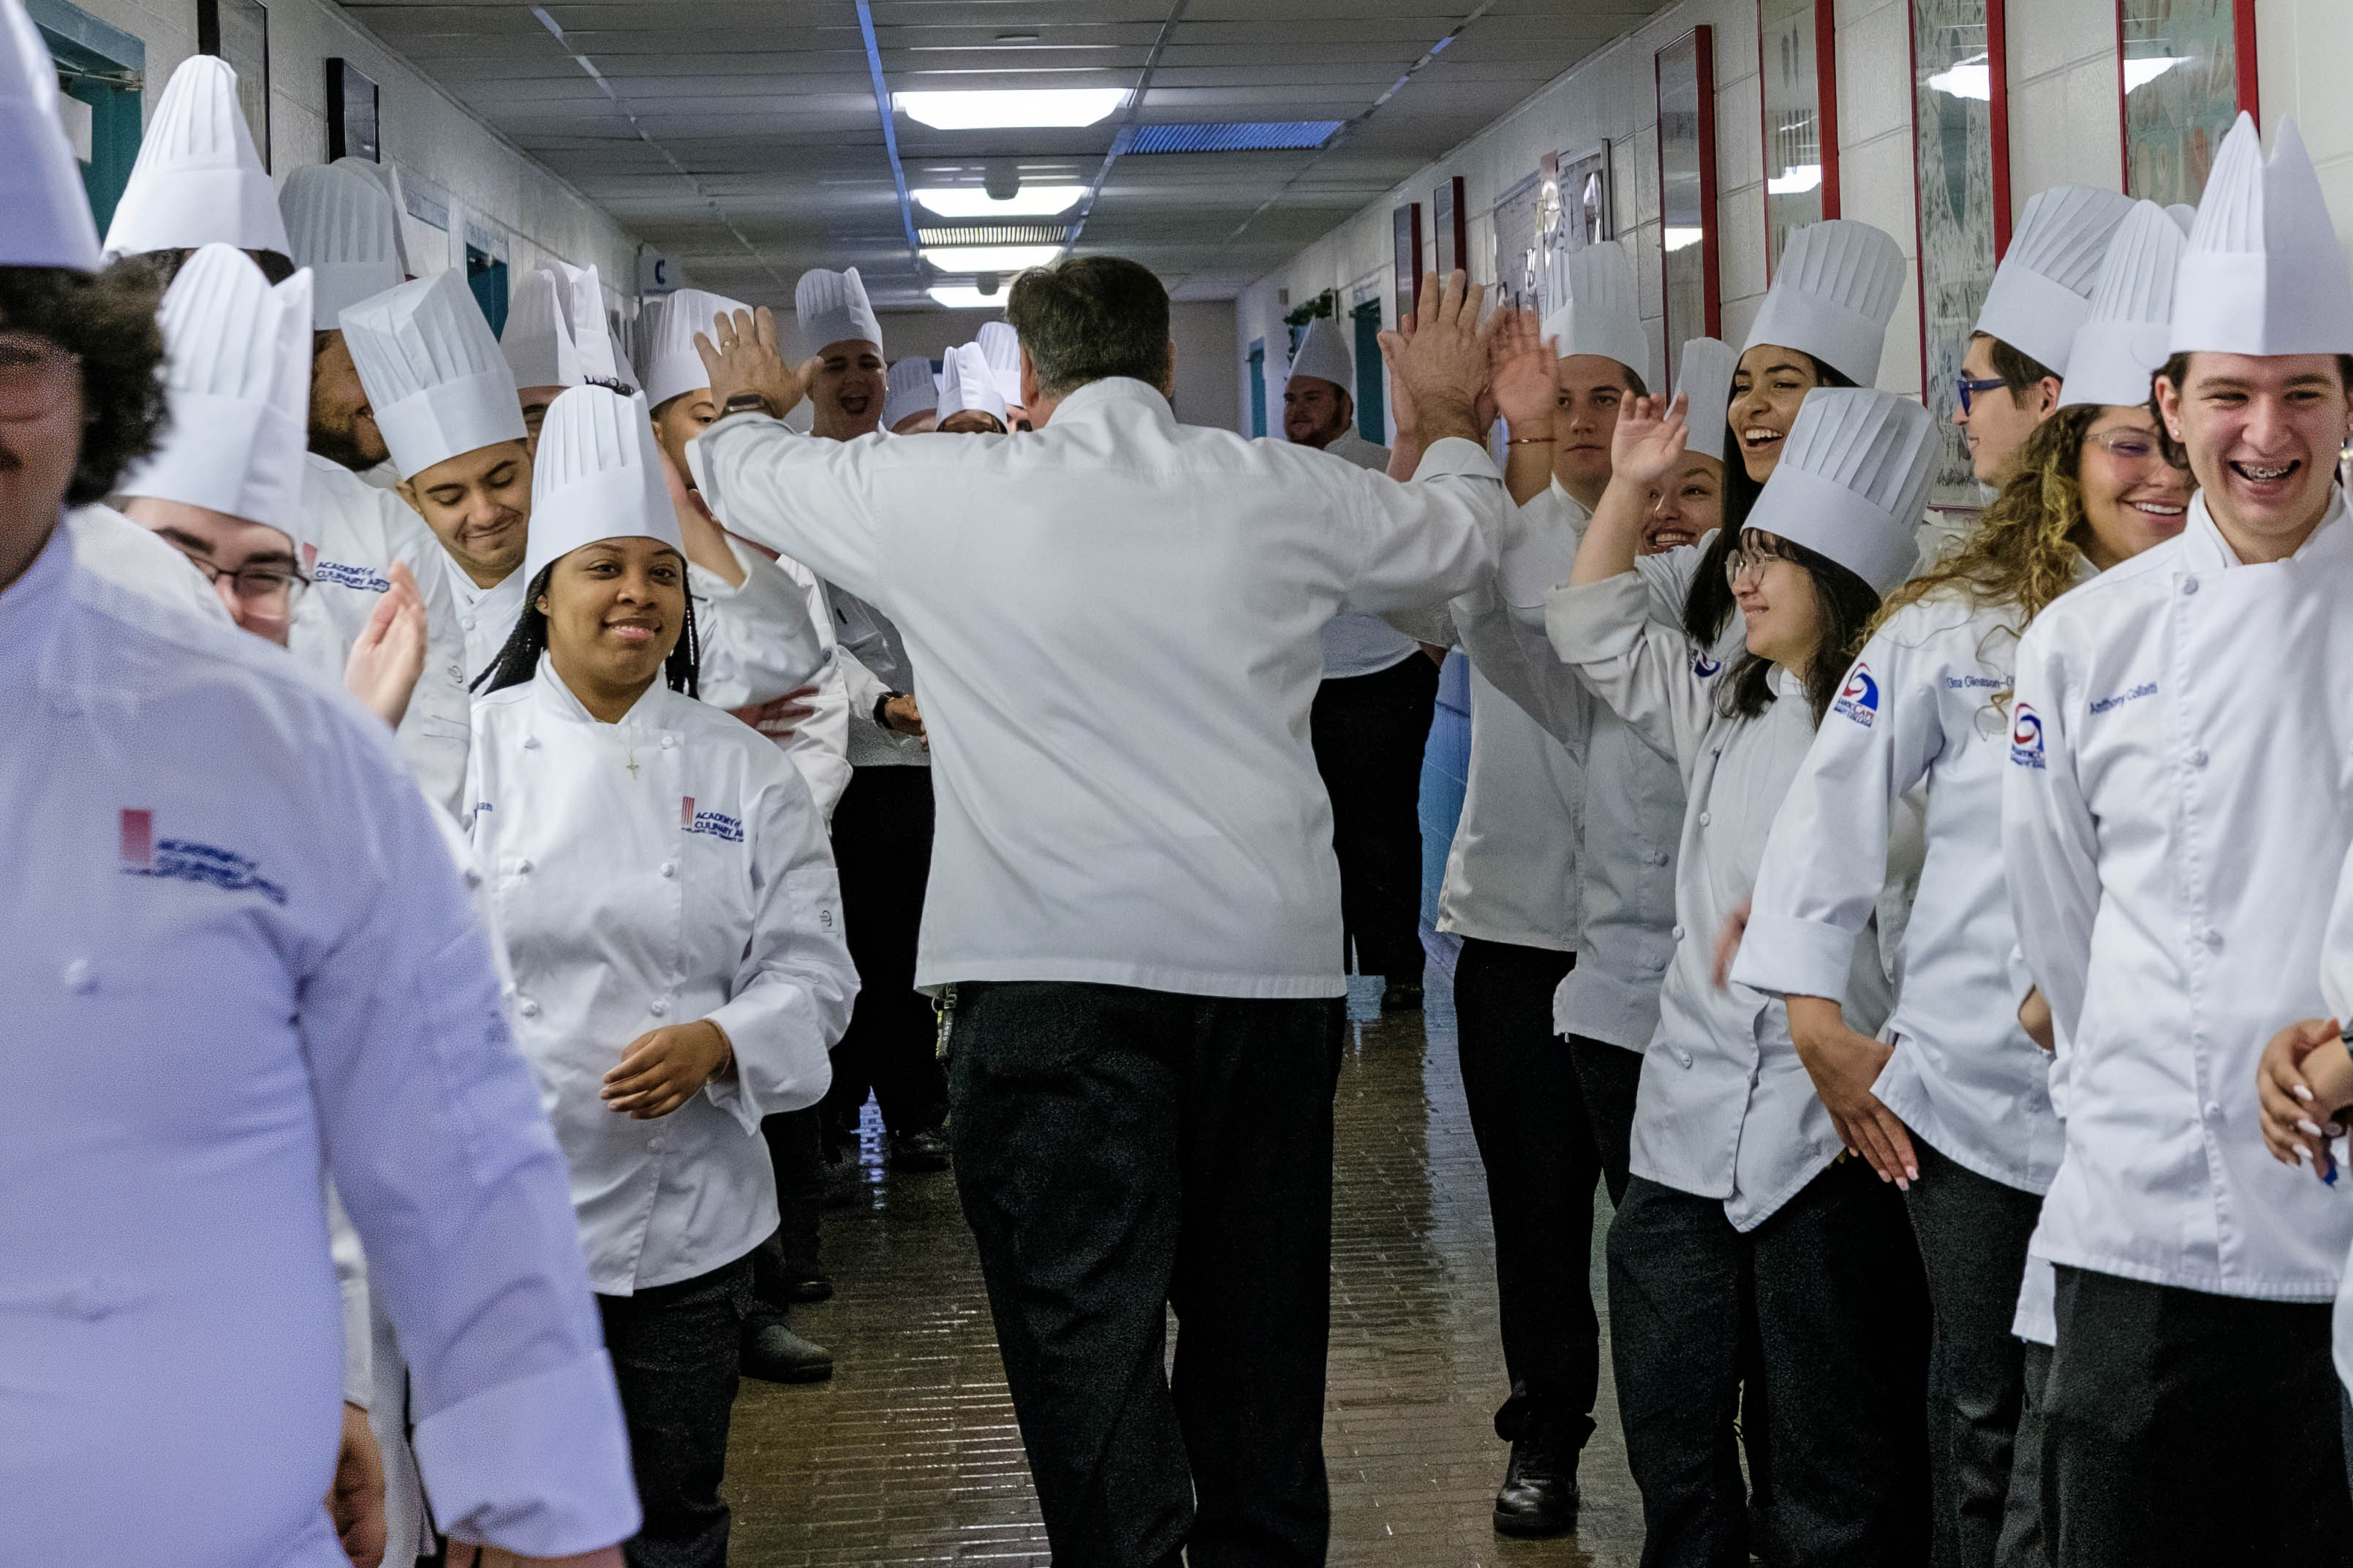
(2194,1430)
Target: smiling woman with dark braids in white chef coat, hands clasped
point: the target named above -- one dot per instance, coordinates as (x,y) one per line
(674,925)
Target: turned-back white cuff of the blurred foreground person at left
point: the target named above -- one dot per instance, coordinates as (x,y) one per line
(486,1463)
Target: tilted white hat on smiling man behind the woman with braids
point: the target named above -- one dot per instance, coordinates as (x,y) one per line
(432,373)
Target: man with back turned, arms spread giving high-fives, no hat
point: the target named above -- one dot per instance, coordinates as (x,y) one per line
(1135,904)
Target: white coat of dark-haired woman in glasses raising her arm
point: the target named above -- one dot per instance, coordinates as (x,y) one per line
(1726,1108)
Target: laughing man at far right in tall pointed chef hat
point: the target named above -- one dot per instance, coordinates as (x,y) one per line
(2173,826)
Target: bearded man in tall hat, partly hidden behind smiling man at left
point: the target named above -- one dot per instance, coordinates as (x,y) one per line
(347,234)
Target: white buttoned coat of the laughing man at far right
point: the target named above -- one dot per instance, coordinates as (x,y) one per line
(2173,824)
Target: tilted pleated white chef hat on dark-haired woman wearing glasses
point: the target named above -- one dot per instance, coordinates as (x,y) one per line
(1853,481)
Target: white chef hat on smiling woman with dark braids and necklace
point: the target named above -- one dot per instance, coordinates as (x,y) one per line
(596,476)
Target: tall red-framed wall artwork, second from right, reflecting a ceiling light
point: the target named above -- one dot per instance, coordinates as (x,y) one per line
(1961,163)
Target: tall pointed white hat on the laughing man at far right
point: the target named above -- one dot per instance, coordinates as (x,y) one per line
(2265,274)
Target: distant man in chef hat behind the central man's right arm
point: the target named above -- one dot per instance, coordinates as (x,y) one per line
(1373,711)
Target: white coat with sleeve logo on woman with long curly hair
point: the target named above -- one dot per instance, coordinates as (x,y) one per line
(1919,706)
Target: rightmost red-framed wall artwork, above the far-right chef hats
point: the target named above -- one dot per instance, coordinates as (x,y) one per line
(2185,69)
